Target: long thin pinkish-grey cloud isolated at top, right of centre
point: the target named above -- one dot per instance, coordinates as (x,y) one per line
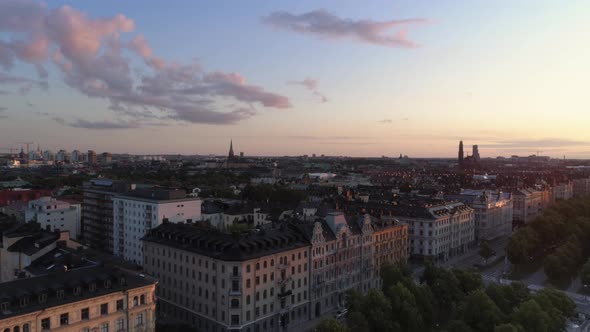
(326,25)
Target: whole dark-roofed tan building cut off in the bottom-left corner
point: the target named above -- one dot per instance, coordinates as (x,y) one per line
(85,299)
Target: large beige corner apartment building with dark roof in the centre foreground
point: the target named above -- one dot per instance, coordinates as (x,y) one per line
(220,282)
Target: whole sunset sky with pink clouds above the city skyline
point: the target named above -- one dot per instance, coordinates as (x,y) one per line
(371,78)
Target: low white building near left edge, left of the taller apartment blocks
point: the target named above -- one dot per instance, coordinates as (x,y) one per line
(53,214)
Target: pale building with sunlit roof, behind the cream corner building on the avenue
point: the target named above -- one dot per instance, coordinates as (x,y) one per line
(493,212)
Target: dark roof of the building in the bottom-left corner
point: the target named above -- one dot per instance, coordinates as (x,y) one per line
(12,292)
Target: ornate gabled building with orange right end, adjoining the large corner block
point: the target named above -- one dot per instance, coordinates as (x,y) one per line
(347,253)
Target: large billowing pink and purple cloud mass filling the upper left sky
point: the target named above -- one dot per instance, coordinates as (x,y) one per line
(92,57)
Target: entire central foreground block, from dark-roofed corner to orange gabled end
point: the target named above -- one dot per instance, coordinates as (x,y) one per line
(273,279)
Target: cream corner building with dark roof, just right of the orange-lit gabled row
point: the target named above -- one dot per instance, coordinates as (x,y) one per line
(438,231)
